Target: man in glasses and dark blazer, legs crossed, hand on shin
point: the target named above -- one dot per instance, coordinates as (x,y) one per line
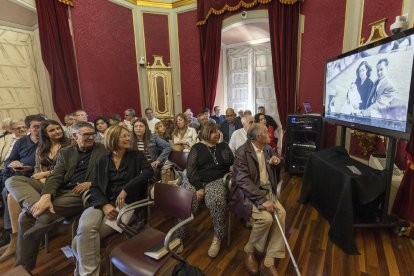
(60,196)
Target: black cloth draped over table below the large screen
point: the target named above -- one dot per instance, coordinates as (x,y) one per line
(338,193)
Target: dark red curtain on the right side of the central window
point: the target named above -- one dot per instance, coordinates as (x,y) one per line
(283,21)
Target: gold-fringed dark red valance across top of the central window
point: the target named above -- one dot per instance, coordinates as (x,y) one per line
(207,7)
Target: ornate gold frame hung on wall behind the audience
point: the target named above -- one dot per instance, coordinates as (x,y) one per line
(160,88)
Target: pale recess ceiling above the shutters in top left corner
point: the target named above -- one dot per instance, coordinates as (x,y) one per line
(18,12)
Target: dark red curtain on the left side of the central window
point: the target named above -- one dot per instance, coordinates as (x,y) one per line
(210,46)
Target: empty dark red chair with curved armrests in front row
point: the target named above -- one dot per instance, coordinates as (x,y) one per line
(129,256)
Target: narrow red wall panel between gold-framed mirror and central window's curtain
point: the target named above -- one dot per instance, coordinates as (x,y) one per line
(190,64)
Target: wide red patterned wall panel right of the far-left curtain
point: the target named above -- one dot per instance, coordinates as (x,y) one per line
(105,50)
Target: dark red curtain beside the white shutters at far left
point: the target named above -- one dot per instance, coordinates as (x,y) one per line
(58,55)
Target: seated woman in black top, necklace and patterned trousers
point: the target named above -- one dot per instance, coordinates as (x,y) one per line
(207,163)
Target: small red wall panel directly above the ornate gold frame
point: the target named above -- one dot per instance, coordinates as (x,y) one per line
(156,37)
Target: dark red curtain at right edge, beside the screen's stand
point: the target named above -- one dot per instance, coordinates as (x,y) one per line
(404,200)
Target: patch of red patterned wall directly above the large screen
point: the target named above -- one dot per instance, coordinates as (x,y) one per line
(378,9)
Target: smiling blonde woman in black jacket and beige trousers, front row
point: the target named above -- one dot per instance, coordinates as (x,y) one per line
(120,177)
